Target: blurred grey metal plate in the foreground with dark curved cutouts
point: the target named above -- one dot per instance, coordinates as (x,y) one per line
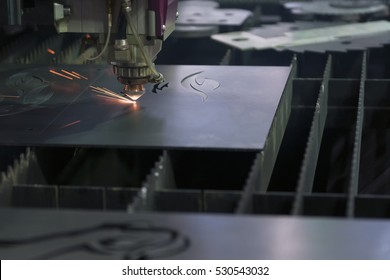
(48,235)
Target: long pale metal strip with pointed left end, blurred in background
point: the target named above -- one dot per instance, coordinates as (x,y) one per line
(318,39)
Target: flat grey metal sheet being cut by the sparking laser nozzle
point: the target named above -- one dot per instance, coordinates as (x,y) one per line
(216,107)
